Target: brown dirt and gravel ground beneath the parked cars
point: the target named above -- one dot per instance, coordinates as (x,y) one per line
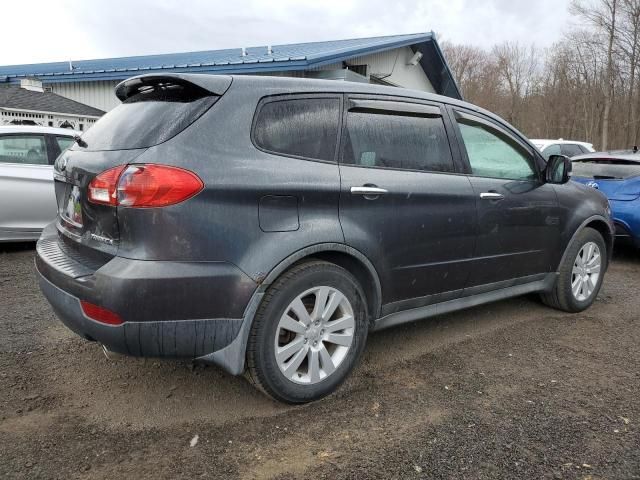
(508,390)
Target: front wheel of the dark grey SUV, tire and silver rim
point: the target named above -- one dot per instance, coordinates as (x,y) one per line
(562,297)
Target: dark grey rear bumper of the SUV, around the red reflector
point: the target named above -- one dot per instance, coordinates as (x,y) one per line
(170,309)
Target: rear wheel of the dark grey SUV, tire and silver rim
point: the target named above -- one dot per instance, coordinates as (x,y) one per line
(310,283)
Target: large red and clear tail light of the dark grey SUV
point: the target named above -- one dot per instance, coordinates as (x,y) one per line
(144,186)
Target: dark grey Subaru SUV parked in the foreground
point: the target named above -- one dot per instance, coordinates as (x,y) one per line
(266,225)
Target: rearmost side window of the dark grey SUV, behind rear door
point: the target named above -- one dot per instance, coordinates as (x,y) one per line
(305,127)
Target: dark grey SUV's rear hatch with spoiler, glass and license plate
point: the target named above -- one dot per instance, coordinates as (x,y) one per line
(154,109)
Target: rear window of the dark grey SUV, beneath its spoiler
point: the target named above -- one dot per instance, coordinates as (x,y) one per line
(152,115)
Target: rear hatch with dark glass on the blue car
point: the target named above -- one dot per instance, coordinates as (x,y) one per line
(617,179)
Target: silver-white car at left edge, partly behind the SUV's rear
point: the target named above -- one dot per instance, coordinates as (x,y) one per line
(27,198)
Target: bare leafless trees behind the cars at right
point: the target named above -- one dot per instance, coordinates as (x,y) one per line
(585,87)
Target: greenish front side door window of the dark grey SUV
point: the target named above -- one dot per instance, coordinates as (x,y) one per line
(493,154)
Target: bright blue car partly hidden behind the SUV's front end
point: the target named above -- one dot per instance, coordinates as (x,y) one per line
(617,176)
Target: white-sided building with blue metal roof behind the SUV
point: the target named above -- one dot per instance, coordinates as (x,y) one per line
(409,61)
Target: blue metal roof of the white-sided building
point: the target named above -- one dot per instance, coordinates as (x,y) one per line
(297,56)
